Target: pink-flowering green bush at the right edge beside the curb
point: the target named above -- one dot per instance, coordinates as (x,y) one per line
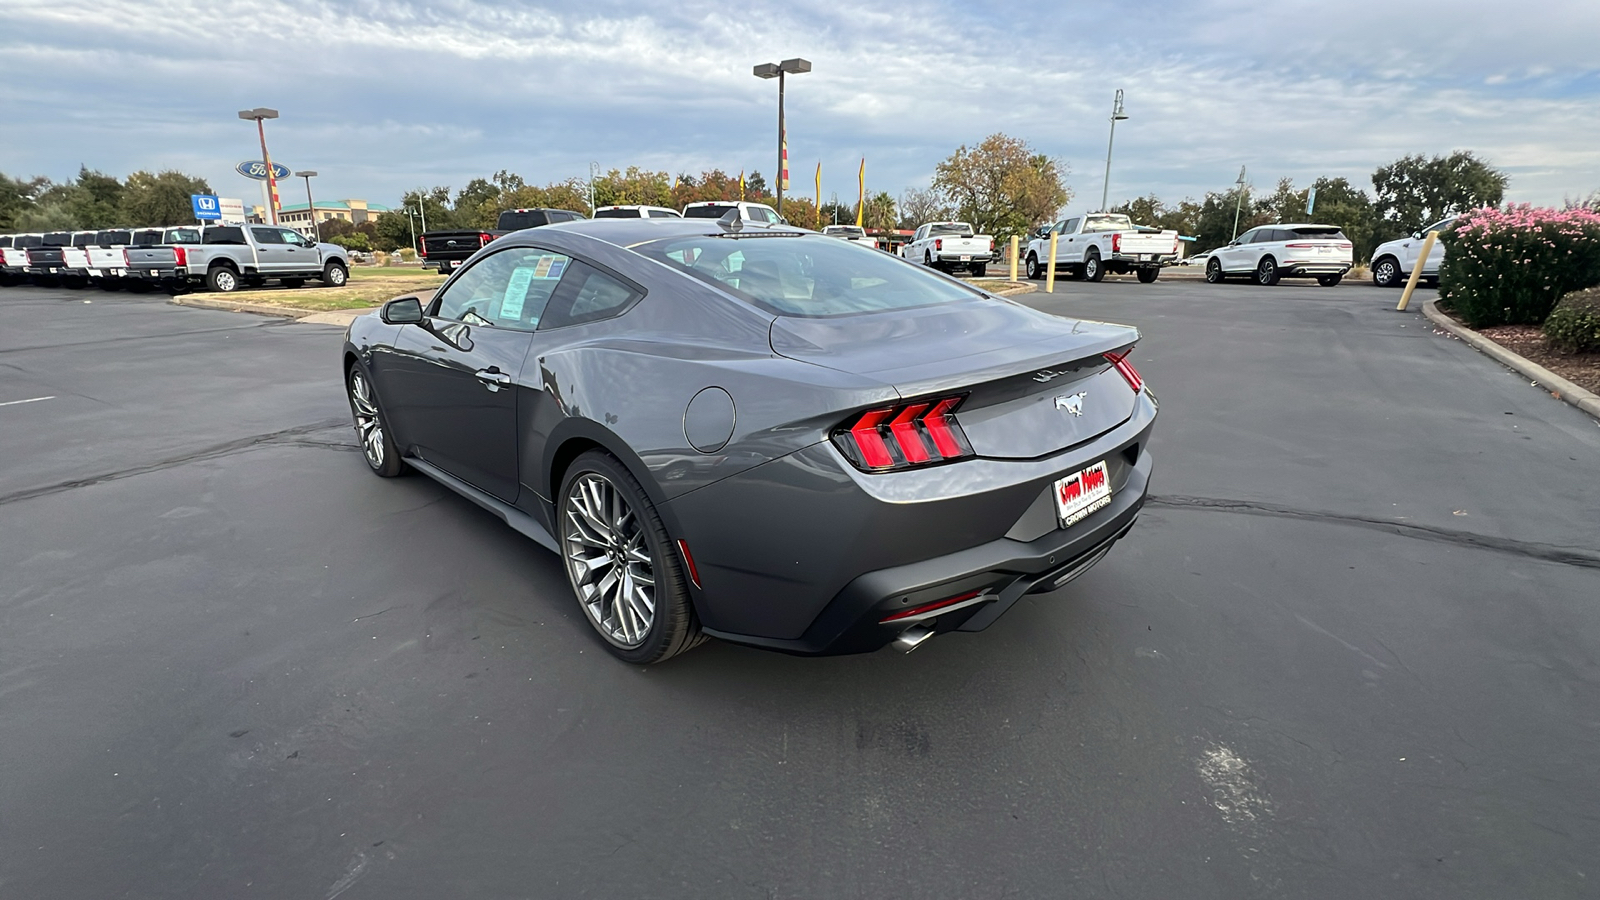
(1510,267)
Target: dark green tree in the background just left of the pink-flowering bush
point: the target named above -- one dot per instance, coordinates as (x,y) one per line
(1415,191)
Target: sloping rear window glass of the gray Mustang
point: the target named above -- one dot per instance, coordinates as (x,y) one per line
(807,276)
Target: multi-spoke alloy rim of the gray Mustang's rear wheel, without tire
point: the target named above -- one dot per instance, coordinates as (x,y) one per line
(609,561)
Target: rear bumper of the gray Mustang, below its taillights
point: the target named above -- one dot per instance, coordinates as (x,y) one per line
(815,569)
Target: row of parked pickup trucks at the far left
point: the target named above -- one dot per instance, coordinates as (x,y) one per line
(220,259)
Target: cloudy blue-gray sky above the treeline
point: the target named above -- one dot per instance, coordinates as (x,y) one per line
(382,97)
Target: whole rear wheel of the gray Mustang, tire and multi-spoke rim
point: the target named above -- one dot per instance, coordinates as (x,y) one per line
(623,566)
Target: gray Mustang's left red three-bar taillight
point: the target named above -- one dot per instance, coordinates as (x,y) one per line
(921,433)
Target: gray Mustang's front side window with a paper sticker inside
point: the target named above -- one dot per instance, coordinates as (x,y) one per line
(506,291)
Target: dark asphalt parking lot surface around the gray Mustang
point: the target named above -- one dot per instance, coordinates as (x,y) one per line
(1351,649)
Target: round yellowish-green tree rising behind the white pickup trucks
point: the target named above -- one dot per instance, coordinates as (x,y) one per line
(1002,187)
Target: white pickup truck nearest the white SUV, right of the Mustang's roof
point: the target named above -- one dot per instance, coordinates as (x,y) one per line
(1098,243)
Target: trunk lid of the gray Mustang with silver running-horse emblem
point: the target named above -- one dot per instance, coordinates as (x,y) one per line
(1034,384)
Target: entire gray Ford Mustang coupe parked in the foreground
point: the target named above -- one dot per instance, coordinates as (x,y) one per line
(758,433)
